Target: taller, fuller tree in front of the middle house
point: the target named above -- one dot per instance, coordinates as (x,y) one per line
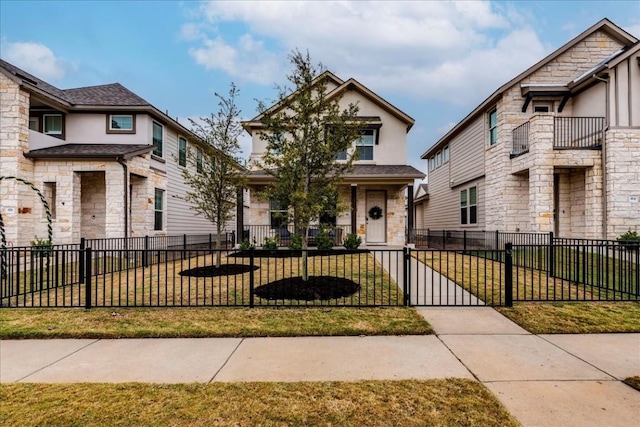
(304,132)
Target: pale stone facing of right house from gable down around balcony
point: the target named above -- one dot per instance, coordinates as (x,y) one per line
(503,194)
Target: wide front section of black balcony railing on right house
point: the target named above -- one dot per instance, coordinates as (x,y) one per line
(572,133)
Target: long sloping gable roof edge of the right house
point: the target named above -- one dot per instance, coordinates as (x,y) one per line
(604,25)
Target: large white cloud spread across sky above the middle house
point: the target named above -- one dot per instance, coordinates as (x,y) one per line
(438,50)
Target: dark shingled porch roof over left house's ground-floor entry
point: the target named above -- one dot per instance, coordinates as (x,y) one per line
(90,151)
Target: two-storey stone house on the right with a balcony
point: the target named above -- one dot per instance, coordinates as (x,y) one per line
(556,149)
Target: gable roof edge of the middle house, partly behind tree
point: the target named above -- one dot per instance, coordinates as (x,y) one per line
(342,87)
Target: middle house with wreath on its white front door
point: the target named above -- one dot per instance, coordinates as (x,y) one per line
(379,178)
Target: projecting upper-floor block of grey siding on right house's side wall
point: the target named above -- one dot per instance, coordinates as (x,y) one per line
(467,153)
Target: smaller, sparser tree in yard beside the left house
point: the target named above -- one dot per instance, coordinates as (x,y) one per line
(218,172)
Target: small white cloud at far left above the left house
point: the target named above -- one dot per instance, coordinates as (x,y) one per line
(35,58)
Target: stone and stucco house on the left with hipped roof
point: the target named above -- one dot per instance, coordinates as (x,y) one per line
(107,161)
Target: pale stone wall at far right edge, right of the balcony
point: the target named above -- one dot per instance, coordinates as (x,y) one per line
(623,180)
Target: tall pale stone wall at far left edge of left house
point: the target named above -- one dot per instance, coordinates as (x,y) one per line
(17,201)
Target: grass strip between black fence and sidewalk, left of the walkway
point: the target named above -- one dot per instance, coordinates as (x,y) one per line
(213,322)
